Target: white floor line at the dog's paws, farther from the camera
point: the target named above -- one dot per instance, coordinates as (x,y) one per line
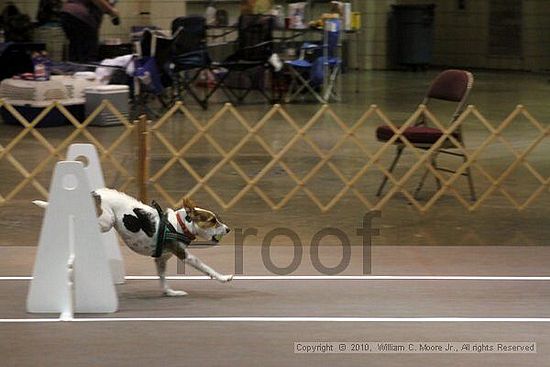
(328,277)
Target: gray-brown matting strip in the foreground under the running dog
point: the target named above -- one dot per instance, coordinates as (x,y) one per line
(235,339)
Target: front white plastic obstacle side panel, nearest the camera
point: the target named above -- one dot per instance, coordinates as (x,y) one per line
(71,270)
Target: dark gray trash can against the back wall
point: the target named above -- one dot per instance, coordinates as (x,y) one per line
(413,34)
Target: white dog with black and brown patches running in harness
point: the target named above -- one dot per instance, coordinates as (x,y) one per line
(138,226)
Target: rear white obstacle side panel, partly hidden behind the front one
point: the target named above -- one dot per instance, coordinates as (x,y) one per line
(96,180)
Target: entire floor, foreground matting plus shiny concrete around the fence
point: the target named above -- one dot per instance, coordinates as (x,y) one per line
(494,241)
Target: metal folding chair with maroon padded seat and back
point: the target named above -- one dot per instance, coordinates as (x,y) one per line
(450,85)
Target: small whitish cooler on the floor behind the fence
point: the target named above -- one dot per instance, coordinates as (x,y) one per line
(118,95)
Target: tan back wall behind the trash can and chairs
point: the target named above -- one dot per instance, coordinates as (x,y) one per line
(461,36)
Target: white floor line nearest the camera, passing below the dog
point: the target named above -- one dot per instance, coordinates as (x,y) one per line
(286,319)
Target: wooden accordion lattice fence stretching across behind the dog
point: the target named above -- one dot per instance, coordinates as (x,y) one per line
(144,139)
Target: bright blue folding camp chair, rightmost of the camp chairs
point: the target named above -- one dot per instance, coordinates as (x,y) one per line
(318,67)
